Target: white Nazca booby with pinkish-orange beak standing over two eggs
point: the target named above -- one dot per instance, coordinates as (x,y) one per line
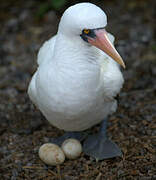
(78,76)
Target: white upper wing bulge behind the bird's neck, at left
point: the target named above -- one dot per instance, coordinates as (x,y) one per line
(46,51)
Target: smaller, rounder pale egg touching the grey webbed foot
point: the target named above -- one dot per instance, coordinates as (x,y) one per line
(72,148)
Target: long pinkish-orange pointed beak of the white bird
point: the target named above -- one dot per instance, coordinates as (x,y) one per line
(102,42)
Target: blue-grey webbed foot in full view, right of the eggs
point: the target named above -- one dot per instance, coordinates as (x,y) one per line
(99,146)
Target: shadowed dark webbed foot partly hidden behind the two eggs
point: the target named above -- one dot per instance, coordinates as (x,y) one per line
(76,135)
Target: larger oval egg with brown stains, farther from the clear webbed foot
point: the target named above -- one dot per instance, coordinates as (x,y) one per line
(51,154)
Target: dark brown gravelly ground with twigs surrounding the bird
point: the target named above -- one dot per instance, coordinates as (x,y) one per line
(22,127)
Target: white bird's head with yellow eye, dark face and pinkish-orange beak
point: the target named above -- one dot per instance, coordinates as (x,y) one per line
(87,22)
